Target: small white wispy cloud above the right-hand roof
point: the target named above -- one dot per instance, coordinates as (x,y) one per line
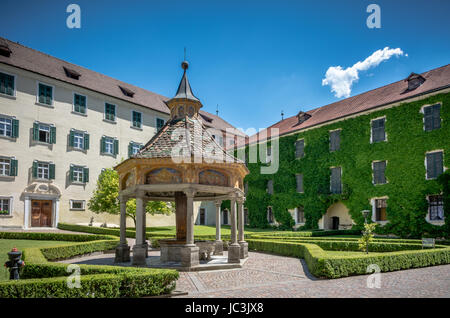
(341,80)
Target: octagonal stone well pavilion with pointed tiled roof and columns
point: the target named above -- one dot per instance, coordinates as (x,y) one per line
(182,163)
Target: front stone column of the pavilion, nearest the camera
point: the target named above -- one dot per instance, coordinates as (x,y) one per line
(189,252)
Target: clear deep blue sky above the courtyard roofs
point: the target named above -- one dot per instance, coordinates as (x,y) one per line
(252,58)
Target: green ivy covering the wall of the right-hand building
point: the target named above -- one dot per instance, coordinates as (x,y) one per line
(404,151)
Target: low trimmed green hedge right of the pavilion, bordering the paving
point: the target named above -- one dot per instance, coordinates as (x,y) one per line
(322,265)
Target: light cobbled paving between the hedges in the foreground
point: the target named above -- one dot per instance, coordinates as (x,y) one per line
(265,275)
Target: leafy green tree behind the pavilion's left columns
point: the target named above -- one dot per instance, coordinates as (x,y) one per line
(106,198)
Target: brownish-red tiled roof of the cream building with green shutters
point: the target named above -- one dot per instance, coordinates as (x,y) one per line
(44,64)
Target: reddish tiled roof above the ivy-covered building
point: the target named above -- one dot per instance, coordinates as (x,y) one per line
(435,79)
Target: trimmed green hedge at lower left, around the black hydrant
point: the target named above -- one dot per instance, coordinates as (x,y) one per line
(42,278)
